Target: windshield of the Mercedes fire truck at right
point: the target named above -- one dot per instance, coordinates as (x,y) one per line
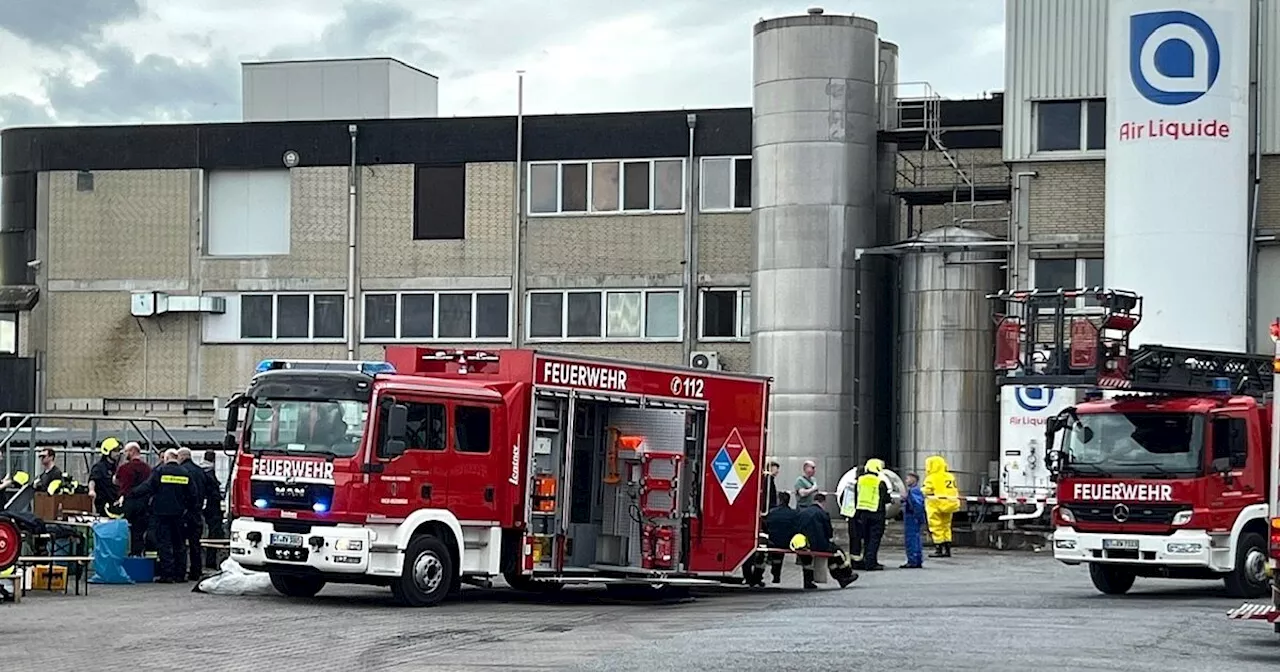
(1141,444)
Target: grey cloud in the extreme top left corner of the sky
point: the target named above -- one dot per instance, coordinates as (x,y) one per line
(62,24)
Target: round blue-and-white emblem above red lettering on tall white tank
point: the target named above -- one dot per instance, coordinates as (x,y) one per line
(1174,57)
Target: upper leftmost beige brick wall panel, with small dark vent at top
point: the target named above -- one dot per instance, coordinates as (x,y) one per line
(132,225)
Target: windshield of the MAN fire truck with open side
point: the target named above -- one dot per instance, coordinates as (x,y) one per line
(307,427)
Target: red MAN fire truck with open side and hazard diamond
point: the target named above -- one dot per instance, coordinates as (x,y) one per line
(447,467)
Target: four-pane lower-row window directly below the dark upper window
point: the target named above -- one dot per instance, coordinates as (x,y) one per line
(437,317)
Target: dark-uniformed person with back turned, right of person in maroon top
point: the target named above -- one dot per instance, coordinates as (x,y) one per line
(175,500)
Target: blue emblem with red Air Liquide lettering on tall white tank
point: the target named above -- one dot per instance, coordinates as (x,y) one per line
(1174,60)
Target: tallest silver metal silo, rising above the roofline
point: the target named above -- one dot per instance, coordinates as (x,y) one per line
(813,205)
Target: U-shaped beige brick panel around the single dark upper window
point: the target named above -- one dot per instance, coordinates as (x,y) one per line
(388,249)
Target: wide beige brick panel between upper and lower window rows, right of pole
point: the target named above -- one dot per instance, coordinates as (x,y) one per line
(604,245)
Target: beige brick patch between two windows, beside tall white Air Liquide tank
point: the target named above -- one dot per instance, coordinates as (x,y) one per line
(1067,198)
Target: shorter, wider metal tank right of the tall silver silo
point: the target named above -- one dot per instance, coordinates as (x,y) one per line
(947,377)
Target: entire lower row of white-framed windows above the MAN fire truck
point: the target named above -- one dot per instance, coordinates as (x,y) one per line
(486,317)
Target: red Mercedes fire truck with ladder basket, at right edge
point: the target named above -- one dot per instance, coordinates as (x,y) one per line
(1169,468)
